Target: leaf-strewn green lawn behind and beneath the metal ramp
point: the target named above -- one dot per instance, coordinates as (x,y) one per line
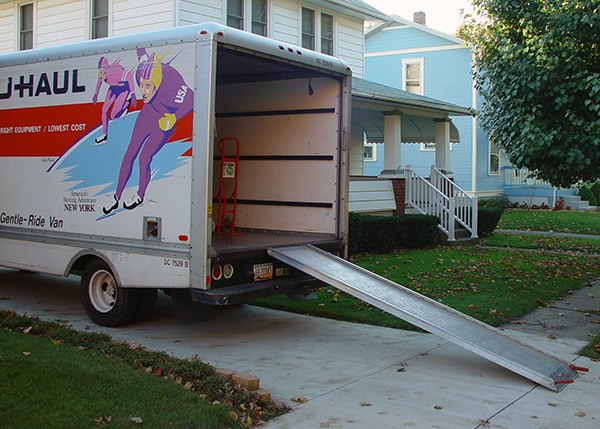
(492,285)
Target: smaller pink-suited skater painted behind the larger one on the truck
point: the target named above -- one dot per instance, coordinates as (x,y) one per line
(120,93)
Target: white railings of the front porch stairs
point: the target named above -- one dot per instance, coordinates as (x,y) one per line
(441,197)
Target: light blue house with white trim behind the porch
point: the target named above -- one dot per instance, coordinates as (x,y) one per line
(413,57)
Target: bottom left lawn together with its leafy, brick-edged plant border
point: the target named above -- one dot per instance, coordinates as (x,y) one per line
(61,378)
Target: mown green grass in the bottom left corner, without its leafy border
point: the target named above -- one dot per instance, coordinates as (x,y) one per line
(53,385)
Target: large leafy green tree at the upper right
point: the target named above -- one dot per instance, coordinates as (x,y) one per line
(537,67)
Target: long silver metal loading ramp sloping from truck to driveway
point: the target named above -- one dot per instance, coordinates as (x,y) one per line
(486,341)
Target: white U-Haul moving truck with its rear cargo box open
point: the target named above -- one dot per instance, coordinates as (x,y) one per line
(171,160)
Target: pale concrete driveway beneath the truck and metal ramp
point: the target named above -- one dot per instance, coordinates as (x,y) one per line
(342,375)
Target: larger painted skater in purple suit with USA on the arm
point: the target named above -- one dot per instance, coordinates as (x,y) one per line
(167,99)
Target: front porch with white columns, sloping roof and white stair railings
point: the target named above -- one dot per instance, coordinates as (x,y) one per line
(395,117)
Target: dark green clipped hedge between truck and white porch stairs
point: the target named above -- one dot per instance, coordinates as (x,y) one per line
(382,234)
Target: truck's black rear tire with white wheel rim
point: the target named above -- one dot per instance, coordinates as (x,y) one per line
(105,302)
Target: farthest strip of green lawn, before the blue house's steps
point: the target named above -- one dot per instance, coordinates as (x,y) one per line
(578,222)
